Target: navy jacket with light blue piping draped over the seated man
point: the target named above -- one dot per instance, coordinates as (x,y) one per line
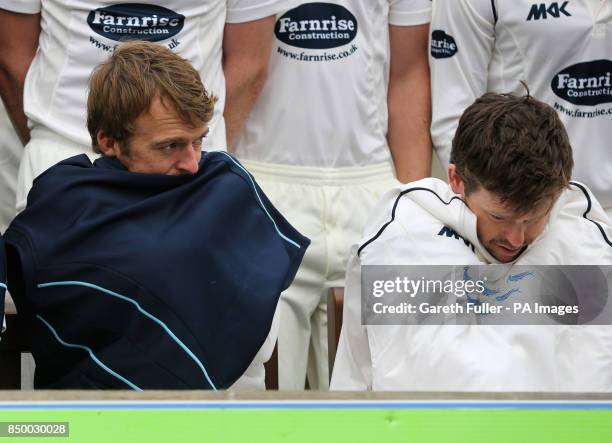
(148,281)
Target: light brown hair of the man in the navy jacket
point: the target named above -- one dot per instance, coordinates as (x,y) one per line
(124,86)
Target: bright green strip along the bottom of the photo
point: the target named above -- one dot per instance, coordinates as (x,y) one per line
(318,426)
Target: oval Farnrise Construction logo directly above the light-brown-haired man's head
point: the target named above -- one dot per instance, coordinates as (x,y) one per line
(135,21)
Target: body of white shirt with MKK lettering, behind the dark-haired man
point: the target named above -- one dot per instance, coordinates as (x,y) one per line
(563,50)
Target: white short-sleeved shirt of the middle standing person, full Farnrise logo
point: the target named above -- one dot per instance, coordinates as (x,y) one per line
(326,106)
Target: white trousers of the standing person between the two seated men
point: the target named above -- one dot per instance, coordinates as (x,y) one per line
(329,206)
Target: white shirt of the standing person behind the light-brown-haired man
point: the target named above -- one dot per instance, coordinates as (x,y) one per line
(55,91)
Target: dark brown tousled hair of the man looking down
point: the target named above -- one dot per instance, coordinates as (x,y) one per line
(515,147)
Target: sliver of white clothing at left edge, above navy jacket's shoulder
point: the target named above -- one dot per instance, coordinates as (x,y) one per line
(10,154)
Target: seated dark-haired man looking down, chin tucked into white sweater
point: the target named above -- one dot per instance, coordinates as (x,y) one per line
(509,200)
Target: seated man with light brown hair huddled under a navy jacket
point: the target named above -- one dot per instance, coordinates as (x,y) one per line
(156,266)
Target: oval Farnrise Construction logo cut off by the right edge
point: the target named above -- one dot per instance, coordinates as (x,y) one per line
(588,83)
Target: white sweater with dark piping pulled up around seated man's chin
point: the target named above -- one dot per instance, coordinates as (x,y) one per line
(471,357)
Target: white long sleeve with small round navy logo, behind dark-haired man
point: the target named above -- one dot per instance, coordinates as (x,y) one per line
(462,39)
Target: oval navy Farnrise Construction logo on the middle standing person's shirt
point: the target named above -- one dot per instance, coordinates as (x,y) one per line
(316,26)
